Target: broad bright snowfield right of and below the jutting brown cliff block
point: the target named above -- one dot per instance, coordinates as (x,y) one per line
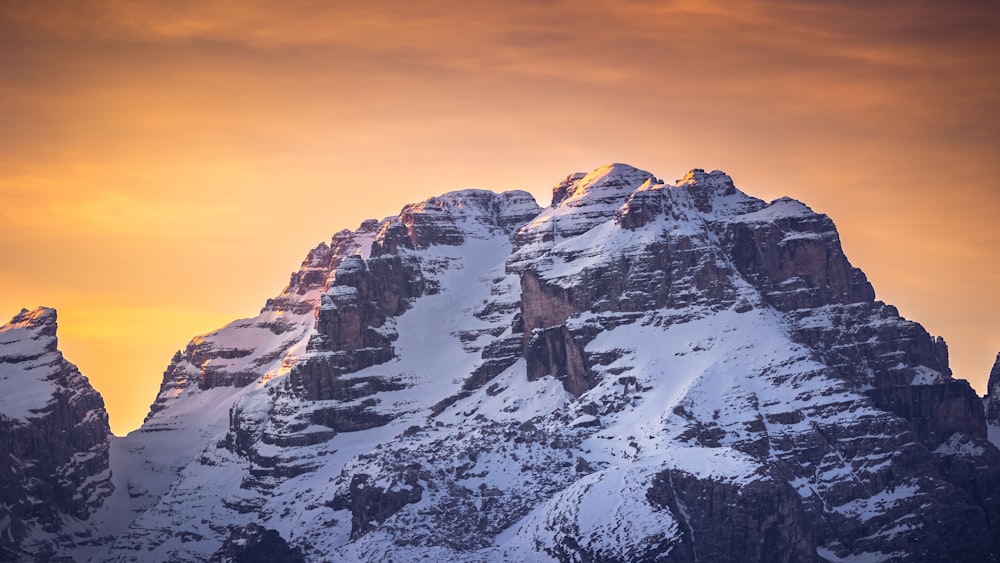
(690,362)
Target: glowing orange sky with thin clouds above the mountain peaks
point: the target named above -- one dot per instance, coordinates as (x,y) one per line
(165,165)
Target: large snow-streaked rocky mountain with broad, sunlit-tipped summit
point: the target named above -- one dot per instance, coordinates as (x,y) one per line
(640,371)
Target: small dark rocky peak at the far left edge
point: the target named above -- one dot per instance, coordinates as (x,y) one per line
(54,440)
